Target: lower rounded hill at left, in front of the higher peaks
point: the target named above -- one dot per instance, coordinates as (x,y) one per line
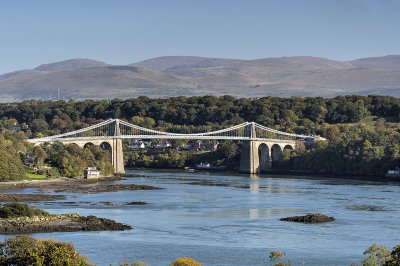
(98,82)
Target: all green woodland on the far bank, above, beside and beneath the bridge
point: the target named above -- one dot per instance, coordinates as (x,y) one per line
(353,148)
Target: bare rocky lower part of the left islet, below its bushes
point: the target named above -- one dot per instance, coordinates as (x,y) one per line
(59,223)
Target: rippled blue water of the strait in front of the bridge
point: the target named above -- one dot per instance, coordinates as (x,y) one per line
(232,219)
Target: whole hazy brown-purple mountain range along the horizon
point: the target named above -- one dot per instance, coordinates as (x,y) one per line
(189,75)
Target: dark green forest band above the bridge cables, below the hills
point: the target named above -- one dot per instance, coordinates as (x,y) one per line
(190,114)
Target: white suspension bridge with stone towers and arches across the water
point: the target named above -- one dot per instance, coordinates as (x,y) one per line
(260,145)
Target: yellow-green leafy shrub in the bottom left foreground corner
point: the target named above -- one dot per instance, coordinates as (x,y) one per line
(26,250)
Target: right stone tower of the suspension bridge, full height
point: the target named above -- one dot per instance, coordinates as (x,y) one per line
(249,160)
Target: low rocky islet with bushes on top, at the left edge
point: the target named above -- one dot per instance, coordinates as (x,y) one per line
(19,218)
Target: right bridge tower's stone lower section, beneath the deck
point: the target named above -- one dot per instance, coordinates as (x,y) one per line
(249,161)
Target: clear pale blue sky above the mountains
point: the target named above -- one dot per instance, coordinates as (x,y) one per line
(34,32)
